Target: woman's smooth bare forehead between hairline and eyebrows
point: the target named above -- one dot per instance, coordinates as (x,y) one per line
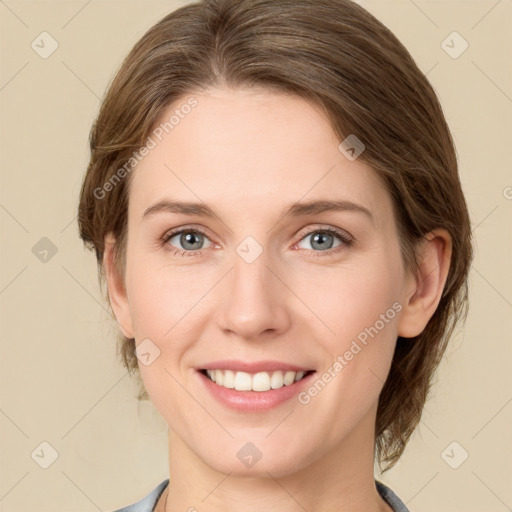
(250,151)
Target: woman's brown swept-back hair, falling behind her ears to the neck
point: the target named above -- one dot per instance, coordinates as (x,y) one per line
(332,52)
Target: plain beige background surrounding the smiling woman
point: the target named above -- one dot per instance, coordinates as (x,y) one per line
(60,380)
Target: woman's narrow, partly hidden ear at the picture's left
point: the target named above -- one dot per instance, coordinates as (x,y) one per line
(116,288)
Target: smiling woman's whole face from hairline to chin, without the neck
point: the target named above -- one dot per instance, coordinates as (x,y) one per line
(260,281)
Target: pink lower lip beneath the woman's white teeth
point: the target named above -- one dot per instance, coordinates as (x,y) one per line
(255,401)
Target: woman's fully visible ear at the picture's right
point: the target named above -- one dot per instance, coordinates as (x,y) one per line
(423,291)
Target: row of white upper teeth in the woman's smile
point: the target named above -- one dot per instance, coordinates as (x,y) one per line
(261,381)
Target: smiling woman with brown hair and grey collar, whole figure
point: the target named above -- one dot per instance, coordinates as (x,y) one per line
(274,202)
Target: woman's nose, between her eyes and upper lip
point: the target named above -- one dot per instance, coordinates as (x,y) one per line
(256,300)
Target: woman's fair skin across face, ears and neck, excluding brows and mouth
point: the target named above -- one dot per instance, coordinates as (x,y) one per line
(248,153)
